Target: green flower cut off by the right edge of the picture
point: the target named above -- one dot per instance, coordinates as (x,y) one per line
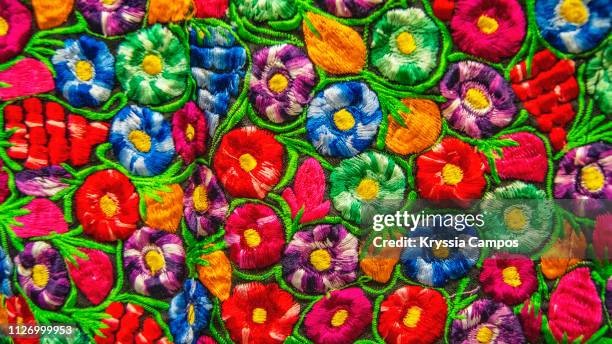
(599,73)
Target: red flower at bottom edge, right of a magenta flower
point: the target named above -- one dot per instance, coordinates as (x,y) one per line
(412,314)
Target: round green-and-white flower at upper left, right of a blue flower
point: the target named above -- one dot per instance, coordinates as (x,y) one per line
(152,65)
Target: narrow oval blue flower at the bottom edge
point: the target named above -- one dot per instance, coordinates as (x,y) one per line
(189,312)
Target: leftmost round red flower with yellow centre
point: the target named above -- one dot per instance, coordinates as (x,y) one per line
(107,206)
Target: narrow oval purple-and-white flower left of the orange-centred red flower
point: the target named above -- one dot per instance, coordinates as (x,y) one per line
(205,203)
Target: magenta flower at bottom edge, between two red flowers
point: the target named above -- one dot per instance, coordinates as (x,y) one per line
(340,317)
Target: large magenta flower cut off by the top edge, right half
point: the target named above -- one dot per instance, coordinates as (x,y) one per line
(491,29)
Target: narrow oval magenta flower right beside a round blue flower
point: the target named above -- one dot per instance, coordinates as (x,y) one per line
(189,131)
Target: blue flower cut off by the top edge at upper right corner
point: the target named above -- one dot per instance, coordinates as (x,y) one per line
(574,25)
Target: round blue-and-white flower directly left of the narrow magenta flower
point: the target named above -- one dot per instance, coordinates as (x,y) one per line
(142,141)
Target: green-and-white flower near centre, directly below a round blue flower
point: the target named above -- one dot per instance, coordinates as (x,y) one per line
(367,184)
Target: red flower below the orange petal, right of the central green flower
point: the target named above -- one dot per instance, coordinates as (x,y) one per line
(452,170)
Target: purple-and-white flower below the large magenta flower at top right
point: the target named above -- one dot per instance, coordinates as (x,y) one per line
(480,100)
